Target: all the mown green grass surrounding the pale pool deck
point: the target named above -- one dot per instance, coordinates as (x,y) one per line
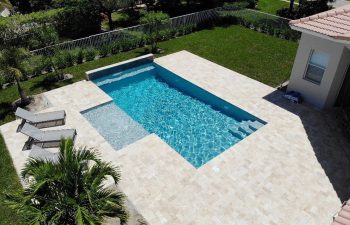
(259,56)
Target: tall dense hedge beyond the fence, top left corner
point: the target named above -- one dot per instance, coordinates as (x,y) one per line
(31,30)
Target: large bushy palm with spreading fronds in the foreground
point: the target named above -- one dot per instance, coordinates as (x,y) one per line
(69,191)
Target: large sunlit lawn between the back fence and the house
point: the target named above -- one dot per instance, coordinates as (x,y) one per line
(256,55)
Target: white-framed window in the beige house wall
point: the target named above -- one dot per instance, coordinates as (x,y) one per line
(317,65)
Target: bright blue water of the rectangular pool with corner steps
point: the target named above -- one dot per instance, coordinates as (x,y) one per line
(197,124)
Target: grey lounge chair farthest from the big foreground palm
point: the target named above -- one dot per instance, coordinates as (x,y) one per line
(41,120)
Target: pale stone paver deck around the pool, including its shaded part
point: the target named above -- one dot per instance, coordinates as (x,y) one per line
(294,170)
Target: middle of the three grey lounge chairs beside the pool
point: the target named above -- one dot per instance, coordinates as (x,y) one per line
(46,139)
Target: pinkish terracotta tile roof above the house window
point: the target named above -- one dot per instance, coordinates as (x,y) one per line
(334,23)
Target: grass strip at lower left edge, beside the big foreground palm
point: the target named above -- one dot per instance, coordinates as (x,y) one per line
(8,182)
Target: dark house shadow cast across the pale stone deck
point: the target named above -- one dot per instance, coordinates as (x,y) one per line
(329,142)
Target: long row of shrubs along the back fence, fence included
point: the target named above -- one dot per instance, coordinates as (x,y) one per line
(70,53)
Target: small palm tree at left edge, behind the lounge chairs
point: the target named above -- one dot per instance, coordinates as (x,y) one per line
(11,63)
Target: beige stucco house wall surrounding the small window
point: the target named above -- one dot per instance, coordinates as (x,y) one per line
(321,95)
